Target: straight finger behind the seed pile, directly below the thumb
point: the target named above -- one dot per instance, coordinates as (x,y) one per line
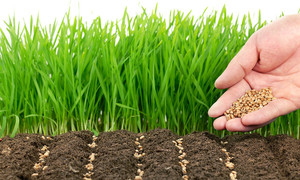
(226,100)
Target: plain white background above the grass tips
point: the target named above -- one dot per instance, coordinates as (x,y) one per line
(108,10)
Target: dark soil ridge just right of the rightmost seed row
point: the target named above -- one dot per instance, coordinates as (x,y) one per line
(253,158)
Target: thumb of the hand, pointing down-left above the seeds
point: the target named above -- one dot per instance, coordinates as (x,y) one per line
(239,66)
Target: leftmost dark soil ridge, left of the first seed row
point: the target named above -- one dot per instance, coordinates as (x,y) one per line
(18,156)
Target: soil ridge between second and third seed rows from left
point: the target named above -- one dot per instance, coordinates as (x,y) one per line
(115,158)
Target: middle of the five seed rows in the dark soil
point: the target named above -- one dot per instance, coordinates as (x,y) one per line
(138,154)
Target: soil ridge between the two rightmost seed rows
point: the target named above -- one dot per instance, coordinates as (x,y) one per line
(203,153)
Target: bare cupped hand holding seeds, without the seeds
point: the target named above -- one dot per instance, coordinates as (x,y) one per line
(270,58)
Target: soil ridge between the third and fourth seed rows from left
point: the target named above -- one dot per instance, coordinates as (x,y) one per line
(161,159)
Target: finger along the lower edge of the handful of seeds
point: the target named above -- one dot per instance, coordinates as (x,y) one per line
(271,111)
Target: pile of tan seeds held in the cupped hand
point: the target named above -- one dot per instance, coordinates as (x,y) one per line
(252,100)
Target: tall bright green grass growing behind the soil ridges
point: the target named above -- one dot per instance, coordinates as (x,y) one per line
(137,74)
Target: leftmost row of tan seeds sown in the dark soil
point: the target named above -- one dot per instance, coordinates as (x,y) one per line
(42,156)
